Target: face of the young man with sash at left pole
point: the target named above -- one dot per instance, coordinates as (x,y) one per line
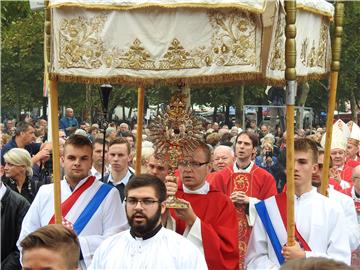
(77,162)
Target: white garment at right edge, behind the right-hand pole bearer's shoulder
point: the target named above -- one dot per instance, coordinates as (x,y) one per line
(348,207)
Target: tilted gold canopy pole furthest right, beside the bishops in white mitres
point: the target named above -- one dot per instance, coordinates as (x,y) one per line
(335,67)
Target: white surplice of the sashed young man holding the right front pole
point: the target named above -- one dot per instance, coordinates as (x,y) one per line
(318,219)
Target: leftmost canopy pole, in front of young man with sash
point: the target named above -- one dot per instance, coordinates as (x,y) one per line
(54,117)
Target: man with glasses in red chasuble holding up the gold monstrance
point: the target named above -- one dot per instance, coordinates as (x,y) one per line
(210,219)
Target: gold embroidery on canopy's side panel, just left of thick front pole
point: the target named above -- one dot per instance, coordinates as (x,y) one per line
(277,61)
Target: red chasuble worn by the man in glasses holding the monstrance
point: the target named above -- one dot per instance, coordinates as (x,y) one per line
(218,228)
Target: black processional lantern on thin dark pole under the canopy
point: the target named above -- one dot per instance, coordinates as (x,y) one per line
(105,91)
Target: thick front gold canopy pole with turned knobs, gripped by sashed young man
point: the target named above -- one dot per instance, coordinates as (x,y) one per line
(290,76)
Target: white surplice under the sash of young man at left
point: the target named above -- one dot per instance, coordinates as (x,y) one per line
(109,218)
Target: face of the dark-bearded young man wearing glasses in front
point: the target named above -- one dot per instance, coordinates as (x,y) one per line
(143,217)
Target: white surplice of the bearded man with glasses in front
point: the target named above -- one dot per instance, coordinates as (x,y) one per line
(165,250)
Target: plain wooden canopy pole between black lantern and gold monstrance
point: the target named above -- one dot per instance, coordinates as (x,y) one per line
(139,129)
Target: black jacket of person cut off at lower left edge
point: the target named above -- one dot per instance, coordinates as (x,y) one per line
(13,209)
